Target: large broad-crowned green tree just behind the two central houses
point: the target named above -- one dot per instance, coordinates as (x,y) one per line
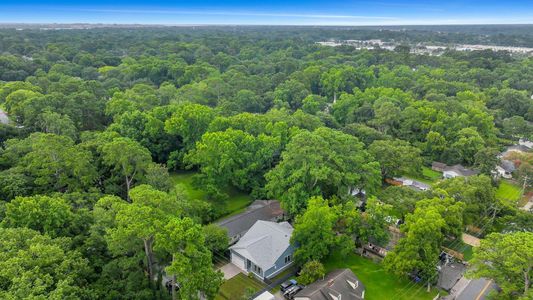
(324,163)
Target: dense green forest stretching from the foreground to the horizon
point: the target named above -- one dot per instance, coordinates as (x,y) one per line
(101,119)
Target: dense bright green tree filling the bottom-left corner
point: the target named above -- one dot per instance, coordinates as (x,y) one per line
(35,266)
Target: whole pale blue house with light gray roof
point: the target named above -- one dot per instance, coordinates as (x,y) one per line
(264,250)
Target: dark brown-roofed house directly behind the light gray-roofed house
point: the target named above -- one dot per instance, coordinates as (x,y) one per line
(238,225)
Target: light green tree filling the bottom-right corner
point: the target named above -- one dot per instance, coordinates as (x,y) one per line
(508,260)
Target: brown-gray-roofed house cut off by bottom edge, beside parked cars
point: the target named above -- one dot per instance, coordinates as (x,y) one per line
(339,284)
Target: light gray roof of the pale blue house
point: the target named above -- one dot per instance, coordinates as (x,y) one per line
(264,243)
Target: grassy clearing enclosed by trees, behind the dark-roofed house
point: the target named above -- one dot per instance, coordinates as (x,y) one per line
(236,203)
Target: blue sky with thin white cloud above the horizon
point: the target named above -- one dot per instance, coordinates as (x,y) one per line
(269,12)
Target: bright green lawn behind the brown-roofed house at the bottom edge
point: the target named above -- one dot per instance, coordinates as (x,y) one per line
(380,284)
